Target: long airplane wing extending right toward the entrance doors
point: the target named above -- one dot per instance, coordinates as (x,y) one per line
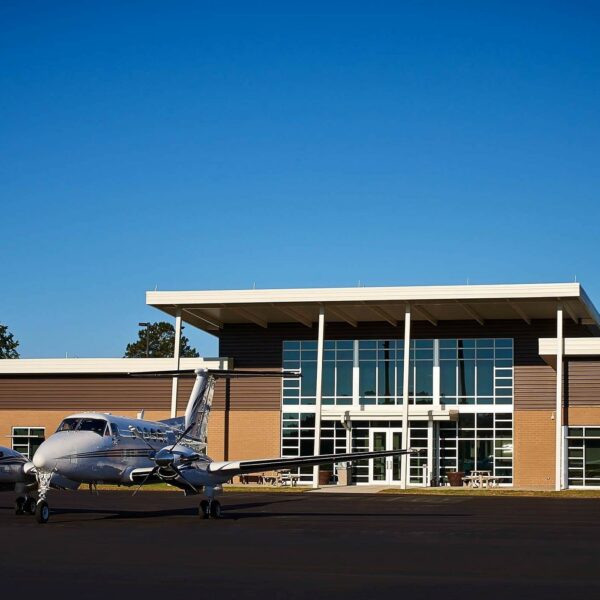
(238,467)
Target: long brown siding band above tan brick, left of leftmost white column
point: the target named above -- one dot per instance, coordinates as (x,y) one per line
(93,394)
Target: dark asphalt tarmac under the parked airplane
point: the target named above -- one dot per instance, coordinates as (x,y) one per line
(283,545)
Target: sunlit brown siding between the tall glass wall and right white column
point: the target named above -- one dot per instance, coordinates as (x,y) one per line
(535,387)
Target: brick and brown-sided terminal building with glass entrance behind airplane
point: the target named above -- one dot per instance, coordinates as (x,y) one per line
(497,378)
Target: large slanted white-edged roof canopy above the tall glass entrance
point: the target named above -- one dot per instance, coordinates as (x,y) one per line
(213,310)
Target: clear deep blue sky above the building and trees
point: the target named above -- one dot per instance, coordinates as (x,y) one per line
(209,145)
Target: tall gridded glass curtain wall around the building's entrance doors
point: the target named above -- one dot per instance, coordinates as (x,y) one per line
(476,375)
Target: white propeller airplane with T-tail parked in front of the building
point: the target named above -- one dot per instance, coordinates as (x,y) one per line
(95,448)
